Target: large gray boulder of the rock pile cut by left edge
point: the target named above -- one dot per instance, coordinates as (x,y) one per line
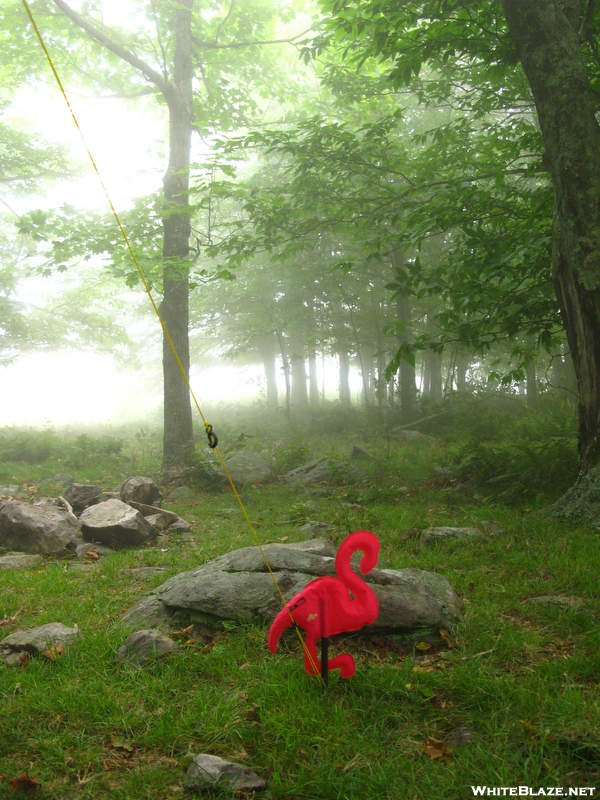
(46,529)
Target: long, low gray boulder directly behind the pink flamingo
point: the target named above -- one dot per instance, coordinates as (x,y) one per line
(238,587)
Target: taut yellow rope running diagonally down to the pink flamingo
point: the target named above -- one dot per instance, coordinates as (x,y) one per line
(165,331)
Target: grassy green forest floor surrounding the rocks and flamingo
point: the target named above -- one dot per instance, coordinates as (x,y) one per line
(509,699)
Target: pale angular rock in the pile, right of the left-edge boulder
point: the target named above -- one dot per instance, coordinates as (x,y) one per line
(116,524)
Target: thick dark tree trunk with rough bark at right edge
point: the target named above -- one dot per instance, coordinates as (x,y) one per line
(548,43)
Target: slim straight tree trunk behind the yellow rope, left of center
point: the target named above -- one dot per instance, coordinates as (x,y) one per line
(178,442)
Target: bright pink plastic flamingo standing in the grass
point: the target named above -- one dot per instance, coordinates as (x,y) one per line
(327,606)
